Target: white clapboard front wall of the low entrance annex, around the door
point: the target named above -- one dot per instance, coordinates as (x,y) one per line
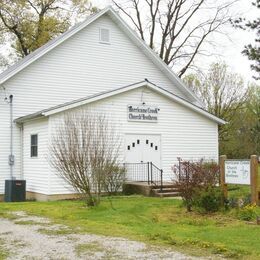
(184,133)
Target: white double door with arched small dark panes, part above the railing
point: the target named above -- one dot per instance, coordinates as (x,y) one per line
(141,148)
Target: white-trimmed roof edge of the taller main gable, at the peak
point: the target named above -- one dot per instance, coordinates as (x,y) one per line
(129,32)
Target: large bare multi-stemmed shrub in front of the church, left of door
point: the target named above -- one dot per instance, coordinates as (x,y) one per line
(84,152)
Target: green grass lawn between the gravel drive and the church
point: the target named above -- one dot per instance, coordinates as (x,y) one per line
(153,220)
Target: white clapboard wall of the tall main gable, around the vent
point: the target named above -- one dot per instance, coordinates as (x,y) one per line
(79,67)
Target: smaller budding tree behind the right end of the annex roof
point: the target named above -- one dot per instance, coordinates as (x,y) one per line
(222,92)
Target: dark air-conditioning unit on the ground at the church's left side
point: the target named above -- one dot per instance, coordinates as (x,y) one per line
(15,190)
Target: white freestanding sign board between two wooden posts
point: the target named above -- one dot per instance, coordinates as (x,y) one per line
(237,171)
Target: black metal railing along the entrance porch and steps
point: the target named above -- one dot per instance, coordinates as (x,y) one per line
(144,172)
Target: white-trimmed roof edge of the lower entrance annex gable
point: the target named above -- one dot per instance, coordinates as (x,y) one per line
(104,95)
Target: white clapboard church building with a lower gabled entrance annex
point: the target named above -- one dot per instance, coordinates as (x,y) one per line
(99,64)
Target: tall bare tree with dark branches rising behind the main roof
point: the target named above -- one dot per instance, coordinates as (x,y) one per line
(176,29)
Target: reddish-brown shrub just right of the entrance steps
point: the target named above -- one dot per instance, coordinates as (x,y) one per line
(195,178)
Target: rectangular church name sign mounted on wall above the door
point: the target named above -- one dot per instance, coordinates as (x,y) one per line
(142,113)
